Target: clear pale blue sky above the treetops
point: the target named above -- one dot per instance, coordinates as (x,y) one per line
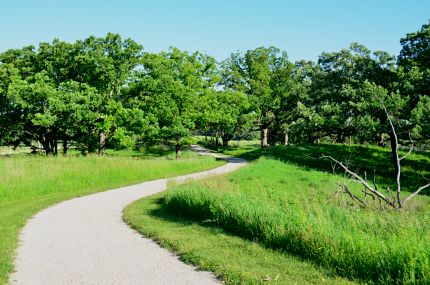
(304,28)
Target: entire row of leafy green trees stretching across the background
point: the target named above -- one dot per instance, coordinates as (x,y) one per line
(107,92)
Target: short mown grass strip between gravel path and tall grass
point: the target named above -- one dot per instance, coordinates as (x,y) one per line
(235,260)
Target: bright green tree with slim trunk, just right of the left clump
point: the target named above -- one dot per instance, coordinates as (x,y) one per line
(168,90)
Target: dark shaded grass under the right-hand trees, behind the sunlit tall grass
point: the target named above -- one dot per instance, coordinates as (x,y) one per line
(362,159)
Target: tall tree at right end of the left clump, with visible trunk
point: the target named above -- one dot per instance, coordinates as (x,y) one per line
(106,64)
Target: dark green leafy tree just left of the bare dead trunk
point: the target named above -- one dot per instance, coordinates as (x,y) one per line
(334,105)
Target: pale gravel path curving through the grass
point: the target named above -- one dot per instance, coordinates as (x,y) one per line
(85,241)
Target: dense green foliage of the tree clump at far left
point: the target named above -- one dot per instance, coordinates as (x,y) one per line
(67,92)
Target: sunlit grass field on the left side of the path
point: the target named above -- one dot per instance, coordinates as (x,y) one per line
(29,184)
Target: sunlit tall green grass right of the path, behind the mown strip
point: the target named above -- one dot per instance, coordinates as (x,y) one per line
(288,207)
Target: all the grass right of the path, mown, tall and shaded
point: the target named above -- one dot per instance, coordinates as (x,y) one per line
(285,204)
